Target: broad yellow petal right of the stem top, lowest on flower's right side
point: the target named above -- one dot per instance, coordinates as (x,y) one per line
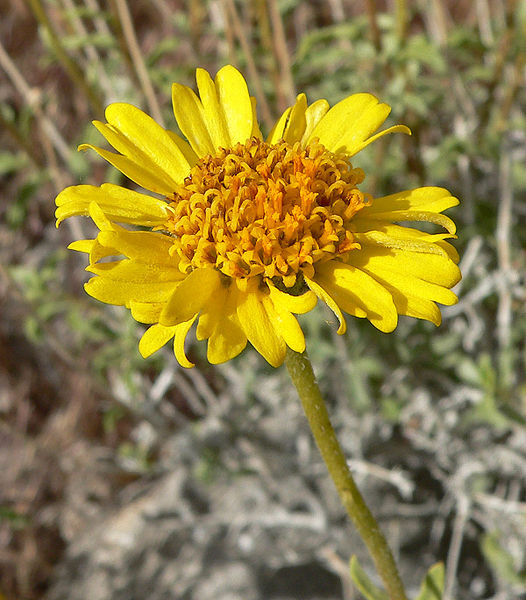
(354,289)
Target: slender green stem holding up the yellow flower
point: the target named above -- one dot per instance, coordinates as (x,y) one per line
(300,370)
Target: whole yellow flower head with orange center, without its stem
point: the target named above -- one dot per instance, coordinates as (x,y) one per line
(245,232)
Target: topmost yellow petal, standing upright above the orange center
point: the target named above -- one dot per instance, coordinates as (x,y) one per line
(235,104)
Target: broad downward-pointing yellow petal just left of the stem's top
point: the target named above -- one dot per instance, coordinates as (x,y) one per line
(258,328)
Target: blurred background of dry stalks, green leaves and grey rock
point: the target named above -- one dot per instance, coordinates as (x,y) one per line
(128,479)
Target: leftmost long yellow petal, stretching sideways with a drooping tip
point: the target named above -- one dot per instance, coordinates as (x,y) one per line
(119,204)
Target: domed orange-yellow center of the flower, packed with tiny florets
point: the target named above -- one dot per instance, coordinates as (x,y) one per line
(270,210)
